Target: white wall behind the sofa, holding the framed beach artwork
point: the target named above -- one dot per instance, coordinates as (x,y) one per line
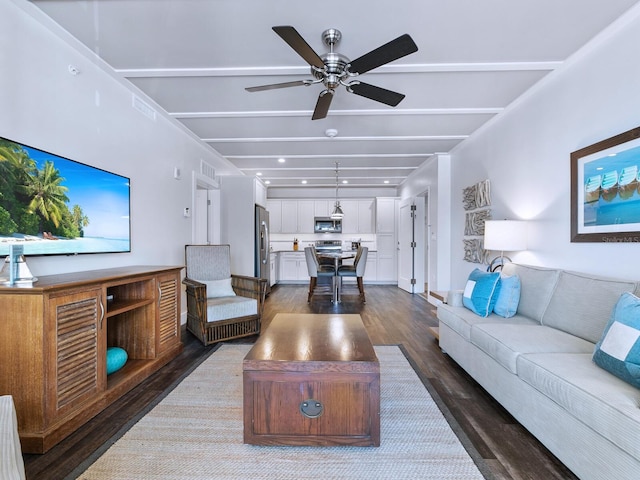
(525,153)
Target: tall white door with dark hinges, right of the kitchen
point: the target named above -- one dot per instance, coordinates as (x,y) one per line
(411,245)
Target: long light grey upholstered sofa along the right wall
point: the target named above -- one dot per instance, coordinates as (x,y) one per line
(538,365)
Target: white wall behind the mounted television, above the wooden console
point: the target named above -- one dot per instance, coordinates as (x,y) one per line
(89,118)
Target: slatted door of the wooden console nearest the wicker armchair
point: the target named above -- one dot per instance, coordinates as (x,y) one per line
(168,311)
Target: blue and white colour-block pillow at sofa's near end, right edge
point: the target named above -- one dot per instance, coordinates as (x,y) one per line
(618,351)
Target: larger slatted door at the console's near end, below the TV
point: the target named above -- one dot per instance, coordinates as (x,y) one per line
(76,365)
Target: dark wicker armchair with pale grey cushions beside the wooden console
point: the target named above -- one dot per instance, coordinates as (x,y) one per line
(220,305)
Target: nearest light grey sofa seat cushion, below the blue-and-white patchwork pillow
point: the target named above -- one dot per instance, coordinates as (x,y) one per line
(603,402)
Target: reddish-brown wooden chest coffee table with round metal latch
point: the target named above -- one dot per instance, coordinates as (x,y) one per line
(312,380)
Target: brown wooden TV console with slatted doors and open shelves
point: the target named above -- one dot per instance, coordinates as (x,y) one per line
(55,336)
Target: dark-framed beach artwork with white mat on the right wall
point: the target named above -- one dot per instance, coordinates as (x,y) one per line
(605,190)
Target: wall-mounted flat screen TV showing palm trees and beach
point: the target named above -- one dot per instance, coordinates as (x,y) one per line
(56,206)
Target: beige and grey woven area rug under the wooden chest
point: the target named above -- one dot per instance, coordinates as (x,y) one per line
(195,432)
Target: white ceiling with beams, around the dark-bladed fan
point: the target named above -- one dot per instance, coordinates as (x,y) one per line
(194,58)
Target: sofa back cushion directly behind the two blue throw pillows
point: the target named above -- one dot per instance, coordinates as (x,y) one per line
(537,284)
